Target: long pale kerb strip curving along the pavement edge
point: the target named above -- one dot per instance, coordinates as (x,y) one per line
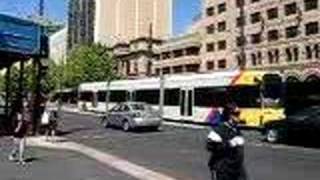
(122,165)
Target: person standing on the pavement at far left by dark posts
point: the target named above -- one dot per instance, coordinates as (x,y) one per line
(22,119)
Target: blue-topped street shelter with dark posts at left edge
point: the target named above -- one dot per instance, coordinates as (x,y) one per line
(20,41)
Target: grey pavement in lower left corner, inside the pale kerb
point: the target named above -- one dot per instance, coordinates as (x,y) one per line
(54,165)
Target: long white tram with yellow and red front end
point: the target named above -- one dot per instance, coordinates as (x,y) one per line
(190,97)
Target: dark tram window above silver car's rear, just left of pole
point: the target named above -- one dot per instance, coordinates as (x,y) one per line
(148,96)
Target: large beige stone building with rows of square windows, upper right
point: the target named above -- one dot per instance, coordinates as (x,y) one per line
(263,34)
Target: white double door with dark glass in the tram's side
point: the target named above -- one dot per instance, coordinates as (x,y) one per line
(186,102)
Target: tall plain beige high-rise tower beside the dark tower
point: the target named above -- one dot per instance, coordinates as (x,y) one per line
(125,20)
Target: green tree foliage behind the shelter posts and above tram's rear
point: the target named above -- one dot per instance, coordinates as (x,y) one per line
(86,63)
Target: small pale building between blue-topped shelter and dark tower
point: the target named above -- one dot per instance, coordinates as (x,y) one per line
(58,46)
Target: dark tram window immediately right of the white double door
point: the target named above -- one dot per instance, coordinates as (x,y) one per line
(210,97)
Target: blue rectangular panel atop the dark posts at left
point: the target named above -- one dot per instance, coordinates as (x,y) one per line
(19,36)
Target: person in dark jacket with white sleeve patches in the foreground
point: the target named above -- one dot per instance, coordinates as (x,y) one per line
(226,144)
